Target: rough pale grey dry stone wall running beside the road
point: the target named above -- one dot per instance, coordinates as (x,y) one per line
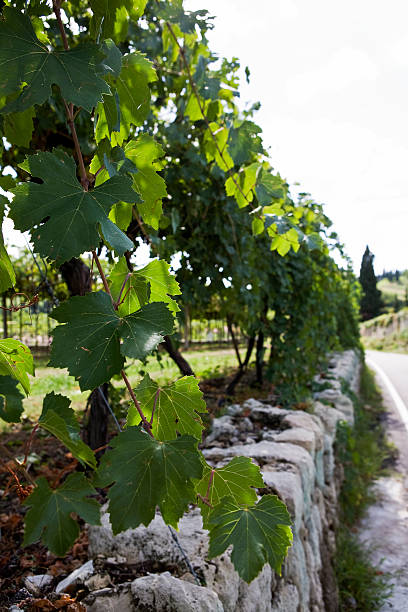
(295,450)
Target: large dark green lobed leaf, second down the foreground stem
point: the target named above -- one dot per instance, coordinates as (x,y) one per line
(63,218)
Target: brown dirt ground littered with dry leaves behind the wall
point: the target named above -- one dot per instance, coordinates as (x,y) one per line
(46,456)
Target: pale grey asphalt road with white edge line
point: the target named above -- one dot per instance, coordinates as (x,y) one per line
(385,527)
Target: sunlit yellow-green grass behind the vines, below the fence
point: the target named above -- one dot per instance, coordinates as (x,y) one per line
(206,363)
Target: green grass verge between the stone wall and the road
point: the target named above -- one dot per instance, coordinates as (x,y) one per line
(363,452)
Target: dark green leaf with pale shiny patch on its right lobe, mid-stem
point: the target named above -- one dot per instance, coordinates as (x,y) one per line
(89,345)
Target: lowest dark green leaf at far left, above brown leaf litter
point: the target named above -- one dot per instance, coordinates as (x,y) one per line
(49,517)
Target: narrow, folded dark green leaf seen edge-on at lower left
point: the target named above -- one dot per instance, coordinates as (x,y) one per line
(59,419)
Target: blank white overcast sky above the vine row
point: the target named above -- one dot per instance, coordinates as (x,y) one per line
(332,81)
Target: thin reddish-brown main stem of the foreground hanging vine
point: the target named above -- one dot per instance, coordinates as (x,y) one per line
(85,184)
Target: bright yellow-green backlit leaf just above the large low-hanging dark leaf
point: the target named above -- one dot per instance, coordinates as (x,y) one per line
(176,407)
